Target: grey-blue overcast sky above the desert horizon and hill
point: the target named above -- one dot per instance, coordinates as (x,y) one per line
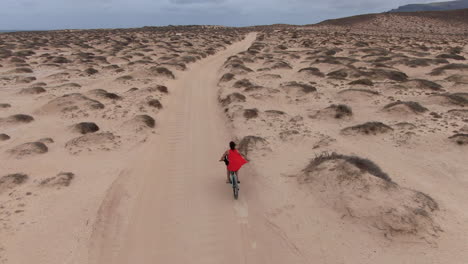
(62,14)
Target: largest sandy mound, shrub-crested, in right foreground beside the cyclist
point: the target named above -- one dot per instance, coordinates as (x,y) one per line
(358,189)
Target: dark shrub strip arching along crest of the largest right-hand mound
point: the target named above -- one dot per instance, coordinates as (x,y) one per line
(365,165)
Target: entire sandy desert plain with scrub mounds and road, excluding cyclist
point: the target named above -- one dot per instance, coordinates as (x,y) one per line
(357,139)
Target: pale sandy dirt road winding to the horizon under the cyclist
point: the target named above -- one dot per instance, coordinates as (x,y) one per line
(183,211)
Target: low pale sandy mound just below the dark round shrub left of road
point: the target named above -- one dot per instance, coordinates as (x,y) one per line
(91,142)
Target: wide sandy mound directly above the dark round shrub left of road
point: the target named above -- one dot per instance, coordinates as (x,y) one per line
(74,102)
